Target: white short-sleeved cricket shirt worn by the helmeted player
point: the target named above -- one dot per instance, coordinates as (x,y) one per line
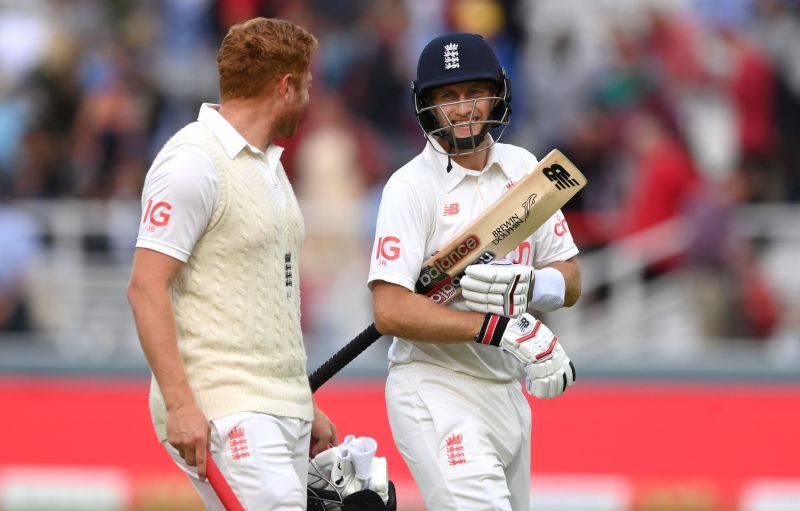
(422,208)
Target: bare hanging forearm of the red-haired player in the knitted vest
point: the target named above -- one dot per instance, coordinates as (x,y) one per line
(155,325)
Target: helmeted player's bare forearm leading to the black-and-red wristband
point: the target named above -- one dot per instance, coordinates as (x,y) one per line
(404,314)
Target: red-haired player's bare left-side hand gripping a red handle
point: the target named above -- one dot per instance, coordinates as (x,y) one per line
(188,431)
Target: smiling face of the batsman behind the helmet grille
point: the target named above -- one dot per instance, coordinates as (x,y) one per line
(465,107)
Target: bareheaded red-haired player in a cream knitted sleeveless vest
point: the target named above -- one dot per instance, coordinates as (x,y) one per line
(215,284)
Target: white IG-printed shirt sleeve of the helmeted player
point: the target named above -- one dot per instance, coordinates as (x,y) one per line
(400,236)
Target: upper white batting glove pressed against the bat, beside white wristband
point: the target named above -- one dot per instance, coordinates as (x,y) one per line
(499,287)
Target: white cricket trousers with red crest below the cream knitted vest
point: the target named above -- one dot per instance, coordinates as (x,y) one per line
(264,459)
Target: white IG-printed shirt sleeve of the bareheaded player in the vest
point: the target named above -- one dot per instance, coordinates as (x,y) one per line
(179,197)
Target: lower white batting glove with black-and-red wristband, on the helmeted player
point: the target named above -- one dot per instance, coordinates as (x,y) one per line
(548,370)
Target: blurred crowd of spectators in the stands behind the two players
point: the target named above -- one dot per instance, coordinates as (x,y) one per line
(671,108)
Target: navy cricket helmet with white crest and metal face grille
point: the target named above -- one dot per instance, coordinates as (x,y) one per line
(457,58)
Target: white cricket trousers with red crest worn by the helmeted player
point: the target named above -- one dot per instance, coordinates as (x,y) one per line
(465,440)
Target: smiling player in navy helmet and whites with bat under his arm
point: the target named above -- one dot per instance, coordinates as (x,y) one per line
(455,403)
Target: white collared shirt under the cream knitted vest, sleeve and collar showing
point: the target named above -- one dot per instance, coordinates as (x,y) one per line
(180,190)
